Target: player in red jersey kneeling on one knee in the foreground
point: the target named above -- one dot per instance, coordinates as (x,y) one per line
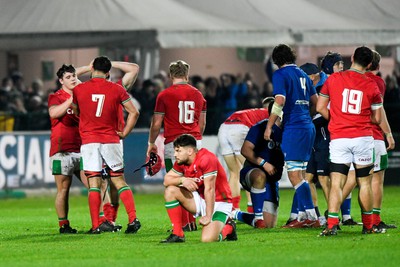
(198,183)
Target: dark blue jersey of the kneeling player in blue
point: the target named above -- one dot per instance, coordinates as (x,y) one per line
(268,150)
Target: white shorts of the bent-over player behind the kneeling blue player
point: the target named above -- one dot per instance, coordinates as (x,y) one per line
(231,138)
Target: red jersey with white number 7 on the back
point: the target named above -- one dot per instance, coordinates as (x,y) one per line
(99,103)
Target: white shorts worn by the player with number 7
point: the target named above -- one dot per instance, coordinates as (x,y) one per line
(93,155)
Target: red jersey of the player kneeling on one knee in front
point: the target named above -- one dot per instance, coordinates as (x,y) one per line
(206,164)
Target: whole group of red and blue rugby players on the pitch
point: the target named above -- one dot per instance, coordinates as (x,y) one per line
(314,138)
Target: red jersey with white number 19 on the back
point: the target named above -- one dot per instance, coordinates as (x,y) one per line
(352,97)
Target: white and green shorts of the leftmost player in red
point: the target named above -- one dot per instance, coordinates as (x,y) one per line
(65,163)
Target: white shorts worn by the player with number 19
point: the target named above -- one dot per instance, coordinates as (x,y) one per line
(359,150)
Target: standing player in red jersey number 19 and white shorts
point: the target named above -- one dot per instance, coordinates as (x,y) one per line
(355,102)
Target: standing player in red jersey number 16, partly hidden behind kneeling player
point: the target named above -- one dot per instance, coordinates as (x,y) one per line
(182,108)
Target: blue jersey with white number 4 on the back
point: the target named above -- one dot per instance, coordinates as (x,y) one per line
(291,82)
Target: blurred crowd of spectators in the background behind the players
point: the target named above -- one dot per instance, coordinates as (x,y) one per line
(24,107)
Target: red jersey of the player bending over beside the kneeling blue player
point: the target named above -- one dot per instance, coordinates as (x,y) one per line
(247,117)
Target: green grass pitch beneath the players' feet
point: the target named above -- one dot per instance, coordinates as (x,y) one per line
(29,237)
